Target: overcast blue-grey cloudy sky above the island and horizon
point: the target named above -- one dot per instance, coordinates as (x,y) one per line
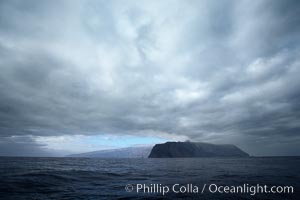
(78,76)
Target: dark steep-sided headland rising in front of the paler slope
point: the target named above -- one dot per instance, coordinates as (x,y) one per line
(193,149)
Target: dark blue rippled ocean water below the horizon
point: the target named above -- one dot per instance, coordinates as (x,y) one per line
(92,178)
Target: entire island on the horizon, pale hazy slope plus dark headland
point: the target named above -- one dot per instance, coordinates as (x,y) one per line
(169,150)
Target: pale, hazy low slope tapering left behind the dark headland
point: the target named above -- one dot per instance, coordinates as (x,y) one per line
(128,152)
